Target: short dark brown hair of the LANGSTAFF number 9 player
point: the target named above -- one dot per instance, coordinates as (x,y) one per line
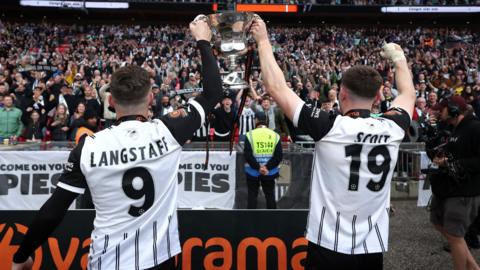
(130,85)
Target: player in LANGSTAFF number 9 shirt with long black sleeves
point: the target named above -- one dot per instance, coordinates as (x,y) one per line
(131,172)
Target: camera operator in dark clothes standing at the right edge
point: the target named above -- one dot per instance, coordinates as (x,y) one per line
(456,184)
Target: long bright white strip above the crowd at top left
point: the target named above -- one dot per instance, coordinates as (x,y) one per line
(74,4)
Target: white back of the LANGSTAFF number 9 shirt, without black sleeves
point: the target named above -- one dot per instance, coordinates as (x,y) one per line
(130,170)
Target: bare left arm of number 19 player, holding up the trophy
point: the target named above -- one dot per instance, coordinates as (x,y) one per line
(273,78)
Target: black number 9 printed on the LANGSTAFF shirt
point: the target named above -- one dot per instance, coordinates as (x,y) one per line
(148,189)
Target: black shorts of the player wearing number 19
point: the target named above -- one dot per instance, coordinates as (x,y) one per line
(320,258)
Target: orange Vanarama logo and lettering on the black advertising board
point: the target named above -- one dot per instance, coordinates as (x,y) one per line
(209,253)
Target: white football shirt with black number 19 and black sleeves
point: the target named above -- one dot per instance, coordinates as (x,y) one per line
(354,160)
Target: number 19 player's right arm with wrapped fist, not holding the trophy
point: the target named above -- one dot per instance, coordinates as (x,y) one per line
(403,78)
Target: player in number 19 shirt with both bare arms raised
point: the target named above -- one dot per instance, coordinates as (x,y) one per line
(355,155)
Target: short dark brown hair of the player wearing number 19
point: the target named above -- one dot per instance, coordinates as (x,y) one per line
(362,81)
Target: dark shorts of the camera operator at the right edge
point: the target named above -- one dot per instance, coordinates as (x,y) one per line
(454,214)
